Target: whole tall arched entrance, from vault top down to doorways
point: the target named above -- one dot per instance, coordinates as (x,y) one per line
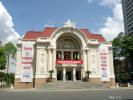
(68,57)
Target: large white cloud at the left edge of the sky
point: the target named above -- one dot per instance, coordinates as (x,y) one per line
(7,31)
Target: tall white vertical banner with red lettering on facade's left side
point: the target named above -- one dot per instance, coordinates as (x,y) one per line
(27,56)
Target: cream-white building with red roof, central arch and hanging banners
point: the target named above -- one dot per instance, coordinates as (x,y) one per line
(63,54)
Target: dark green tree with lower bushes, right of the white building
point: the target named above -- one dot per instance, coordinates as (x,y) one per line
(122,48)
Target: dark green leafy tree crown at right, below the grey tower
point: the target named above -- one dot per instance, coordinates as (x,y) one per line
(123,45)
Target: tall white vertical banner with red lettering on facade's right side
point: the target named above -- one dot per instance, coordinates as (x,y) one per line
(104,63)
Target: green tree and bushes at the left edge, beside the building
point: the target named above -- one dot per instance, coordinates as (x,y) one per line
(5,51)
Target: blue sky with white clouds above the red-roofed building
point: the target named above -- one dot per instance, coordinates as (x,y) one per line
(99,16)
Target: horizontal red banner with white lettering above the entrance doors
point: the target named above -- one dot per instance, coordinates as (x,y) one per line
(69,61)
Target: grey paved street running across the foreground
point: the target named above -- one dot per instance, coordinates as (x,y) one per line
(114,94)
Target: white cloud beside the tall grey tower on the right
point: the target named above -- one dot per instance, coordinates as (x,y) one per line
(114,24)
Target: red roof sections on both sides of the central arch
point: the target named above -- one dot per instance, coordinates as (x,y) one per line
(33,35)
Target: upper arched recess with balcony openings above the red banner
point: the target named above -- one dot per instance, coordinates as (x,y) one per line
(68,42)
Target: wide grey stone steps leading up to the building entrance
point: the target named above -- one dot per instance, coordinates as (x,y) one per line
(70,85)
